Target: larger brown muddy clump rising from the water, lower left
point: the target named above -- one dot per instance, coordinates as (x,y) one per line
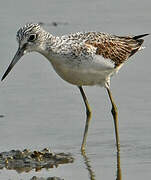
(26,160)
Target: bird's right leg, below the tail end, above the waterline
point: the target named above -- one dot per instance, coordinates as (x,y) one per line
(115,117)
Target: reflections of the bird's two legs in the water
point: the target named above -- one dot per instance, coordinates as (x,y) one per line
(90,169)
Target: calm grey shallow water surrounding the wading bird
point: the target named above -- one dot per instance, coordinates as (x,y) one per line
(41,110)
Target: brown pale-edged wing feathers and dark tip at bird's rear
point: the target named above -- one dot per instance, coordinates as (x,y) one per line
(117,48)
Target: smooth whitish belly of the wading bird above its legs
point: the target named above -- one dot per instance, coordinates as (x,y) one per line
(83,74)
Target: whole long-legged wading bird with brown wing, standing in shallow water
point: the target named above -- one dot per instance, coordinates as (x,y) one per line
(82,59)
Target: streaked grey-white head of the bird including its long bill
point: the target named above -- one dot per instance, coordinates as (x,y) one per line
(30,38)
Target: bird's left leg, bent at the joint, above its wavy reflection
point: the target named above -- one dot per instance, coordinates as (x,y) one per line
(88,118)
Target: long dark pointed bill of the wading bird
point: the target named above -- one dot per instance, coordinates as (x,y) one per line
(18,55)
